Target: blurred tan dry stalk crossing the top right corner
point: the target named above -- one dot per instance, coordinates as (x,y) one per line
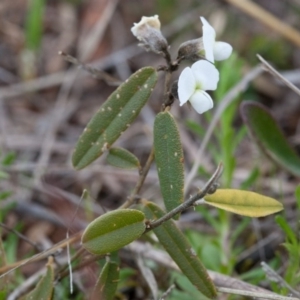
(268,19)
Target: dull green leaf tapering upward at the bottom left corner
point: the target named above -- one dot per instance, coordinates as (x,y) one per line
(44,288)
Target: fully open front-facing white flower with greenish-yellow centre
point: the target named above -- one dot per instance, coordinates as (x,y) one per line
(194,81)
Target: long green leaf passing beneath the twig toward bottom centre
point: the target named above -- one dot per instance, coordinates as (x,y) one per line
(180,250)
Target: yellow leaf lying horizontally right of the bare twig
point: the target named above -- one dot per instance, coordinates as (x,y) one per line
(243,202)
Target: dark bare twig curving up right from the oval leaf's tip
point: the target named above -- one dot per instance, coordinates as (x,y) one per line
(190,201)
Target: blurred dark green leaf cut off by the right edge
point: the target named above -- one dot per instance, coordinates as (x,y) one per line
(269,136)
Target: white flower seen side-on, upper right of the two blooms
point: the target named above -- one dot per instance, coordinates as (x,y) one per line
(213,50)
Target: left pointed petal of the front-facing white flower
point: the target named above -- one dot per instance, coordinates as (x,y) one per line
(186,85)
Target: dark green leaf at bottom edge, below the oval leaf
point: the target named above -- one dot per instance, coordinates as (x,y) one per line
(107,283)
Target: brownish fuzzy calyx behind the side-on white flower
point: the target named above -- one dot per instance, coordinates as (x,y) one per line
(192,50)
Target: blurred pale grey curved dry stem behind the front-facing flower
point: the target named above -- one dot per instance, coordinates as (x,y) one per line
(226,101)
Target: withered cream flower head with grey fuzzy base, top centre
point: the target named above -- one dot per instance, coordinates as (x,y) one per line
(148,32)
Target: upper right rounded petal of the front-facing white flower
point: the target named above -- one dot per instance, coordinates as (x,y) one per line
(206,74)
